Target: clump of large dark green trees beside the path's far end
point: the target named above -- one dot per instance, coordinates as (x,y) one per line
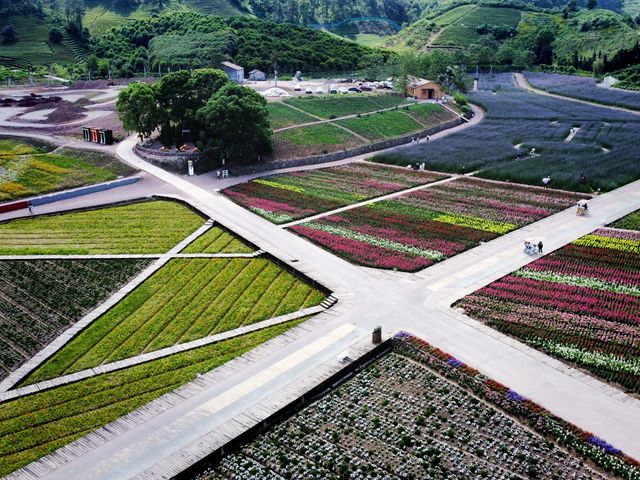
(205,107)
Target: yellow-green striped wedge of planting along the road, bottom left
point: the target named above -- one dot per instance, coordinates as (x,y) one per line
(33,426)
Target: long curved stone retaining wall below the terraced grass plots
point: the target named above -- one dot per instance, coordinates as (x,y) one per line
(335,156)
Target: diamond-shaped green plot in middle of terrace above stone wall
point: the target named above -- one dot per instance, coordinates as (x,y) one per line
(379,126)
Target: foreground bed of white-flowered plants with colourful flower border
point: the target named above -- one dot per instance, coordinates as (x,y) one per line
(417,412)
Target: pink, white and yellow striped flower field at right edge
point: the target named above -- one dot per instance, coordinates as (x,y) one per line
(580,304)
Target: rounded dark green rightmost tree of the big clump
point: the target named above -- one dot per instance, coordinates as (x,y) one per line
(236,121)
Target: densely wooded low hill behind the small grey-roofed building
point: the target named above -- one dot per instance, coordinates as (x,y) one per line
(191,40)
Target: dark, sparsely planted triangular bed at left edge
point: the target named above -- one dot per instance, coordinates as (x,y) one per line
(41,298)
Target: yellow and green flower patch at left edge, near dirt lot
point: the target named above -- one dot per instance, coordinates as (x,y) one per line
(28,170)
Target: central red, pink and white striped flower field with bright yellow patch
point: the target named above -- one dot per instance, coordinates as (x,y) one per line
(415,230)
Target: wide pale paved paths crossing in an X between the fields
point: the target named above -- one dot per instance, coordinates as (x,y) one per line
(254,386)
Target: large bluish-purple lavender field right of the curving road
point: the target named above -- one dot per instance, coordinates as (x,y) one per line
(516,121)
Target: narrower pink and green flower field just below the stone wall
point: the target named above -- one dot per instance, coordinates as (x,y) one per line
(283,198)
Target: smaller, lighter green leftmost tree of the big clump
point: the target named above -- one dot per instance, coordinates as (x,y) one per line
(138,109)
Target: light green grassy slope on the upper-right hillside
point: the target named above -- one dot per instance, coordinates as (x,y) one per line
(462,31)
